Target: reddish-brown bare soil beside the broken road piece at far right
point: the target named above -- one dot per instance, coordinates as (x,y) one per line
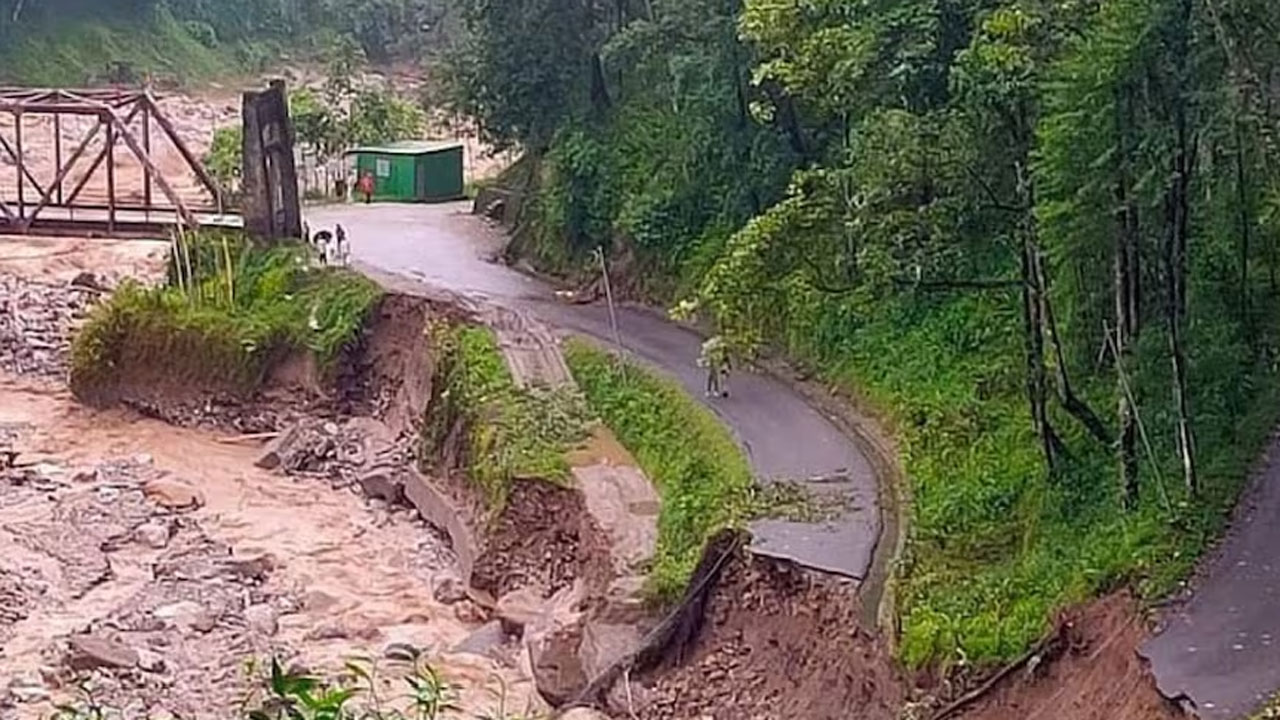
(1096,675)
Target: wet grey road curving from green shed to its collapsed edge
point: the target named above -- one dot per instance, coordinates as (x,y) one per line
(784,438)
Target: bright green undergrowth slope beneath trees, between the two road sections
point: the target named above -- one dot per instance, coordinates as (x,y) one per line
(996,548)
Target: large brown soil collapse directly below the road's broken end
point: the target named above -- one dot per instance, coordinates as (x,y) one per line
(779,642)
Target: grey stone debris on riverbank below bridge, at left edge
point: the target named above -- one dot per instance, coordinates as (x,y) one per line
(36,322)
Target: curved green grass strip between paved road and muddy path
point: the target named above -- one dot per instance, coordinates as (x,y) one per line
(702,476)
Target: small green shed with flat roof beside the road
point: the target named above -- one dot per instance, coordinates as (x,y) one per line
(413,171)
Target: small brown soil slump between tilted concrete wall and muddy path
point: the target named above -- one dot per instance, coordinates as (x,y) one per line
(545,539)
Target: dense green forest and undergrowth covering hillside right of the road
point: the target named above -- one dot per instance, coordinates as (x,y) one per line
(1040,236)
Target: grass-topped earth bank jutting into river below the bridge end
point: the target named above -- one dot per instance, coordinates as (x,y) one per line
(227,313)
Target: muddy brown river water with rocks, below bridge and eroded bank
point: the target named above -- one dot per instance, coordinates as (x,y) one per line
(188,560)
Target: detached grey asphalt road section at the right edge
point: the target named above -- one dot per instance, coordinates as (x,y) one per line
(1223,648)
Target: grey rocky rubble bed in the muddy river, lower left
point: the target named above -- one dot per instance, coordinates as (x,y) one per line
(176,640)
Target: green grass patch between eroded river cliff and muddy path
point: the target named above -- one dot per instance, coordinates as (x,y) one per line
(510,434)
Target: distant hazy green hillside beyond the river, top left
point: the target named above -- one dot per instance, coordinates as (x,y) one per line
(76,42)
